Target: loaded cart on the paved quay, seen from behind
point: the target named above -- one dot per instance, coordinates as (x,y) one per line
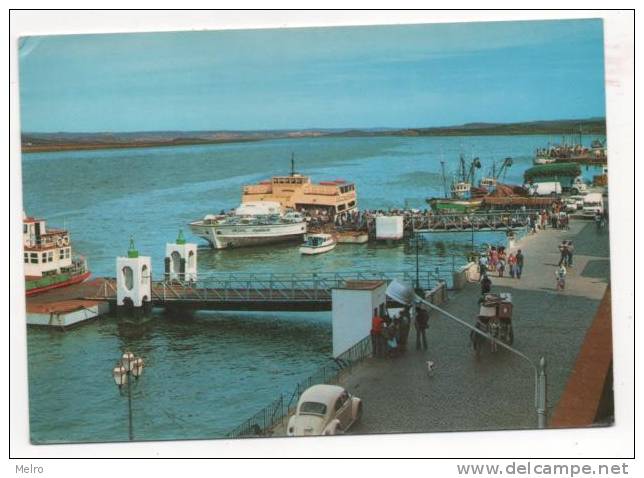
(495,320)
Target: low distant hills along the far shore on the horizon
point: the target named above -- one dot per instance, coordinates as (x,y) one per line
(32,142)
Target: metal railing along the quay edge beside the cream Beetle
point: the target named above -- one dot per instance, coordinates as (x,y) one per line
(264,421)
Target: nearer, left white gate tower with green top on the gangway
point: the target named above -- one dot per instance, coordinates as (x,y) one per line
(133,281)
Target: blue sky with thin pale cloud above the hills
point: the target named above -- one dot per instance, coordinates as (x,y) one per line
(347,77)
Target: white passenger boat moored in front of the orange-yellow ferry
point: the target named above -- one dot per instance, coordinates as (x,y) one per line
(251,224)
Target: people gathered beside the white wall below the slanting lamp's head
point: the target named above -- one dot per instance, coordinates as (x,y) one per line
(389,336)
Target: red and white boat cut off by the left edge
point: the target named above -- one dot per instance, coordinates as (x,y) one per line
(48,259)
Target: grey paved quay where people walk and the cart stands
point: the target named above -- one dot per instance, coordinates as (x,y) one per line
(496,390)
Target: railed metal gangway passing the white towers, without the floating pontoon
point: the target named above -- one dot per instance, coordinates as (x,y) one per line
(268,291)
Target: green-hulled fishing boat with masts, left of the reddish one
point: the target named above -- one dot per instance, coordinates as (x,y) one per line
(460,199)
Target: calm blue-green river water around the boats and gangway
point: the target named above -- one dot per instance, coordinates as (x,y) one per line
(208,372)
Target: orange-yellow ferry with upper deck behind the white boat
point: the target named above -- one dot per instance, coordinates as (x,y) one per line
(296,191)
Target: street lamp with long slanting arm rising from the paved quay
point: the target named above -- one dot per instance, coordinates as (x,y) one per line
(404,294)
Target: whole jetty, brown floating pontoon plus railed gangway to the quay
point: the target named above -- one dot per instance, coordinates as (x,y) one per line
(305,292)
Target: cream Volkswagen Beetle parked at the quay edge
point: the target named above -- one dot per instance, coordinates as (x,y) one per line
(324,410)
